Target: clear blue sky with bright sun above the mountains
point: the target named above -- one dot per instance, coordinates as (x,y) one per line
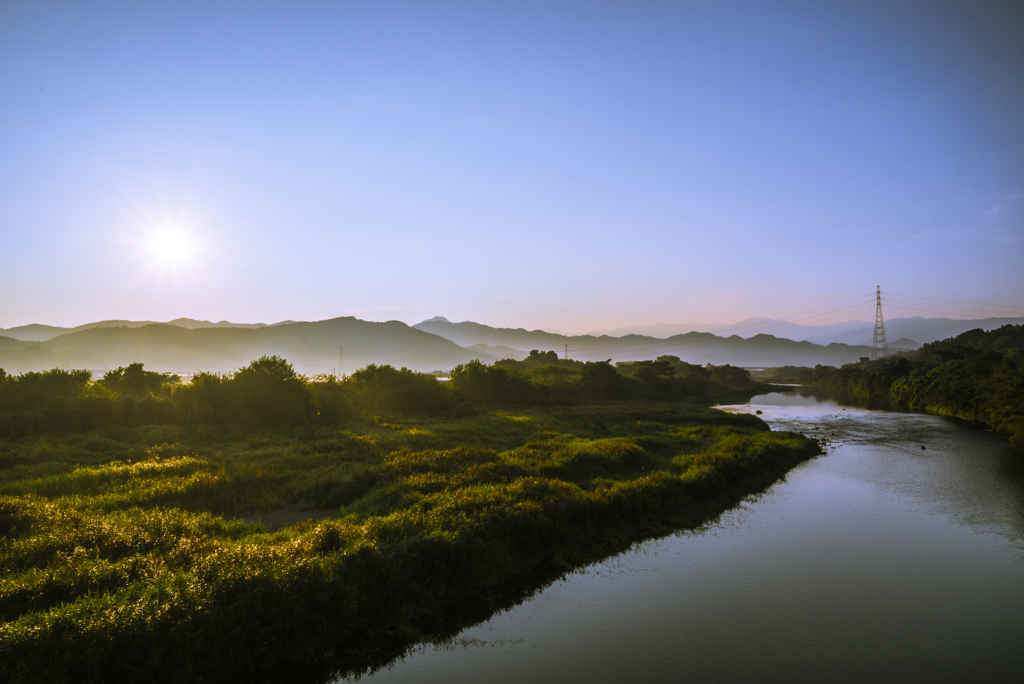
(563,165)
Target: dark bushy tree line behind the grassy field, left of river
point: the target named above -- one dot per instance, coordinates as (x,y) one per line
(270,394)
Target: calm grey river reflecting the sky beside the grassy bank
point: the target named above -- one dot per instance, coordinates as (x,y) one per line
(897,557)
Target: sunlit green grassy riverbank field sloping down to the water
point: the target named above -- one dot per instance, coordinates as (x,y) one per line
(162,553)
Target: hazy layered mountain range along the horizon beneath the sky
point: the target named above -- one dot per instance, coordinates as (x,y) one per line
(346,345)
